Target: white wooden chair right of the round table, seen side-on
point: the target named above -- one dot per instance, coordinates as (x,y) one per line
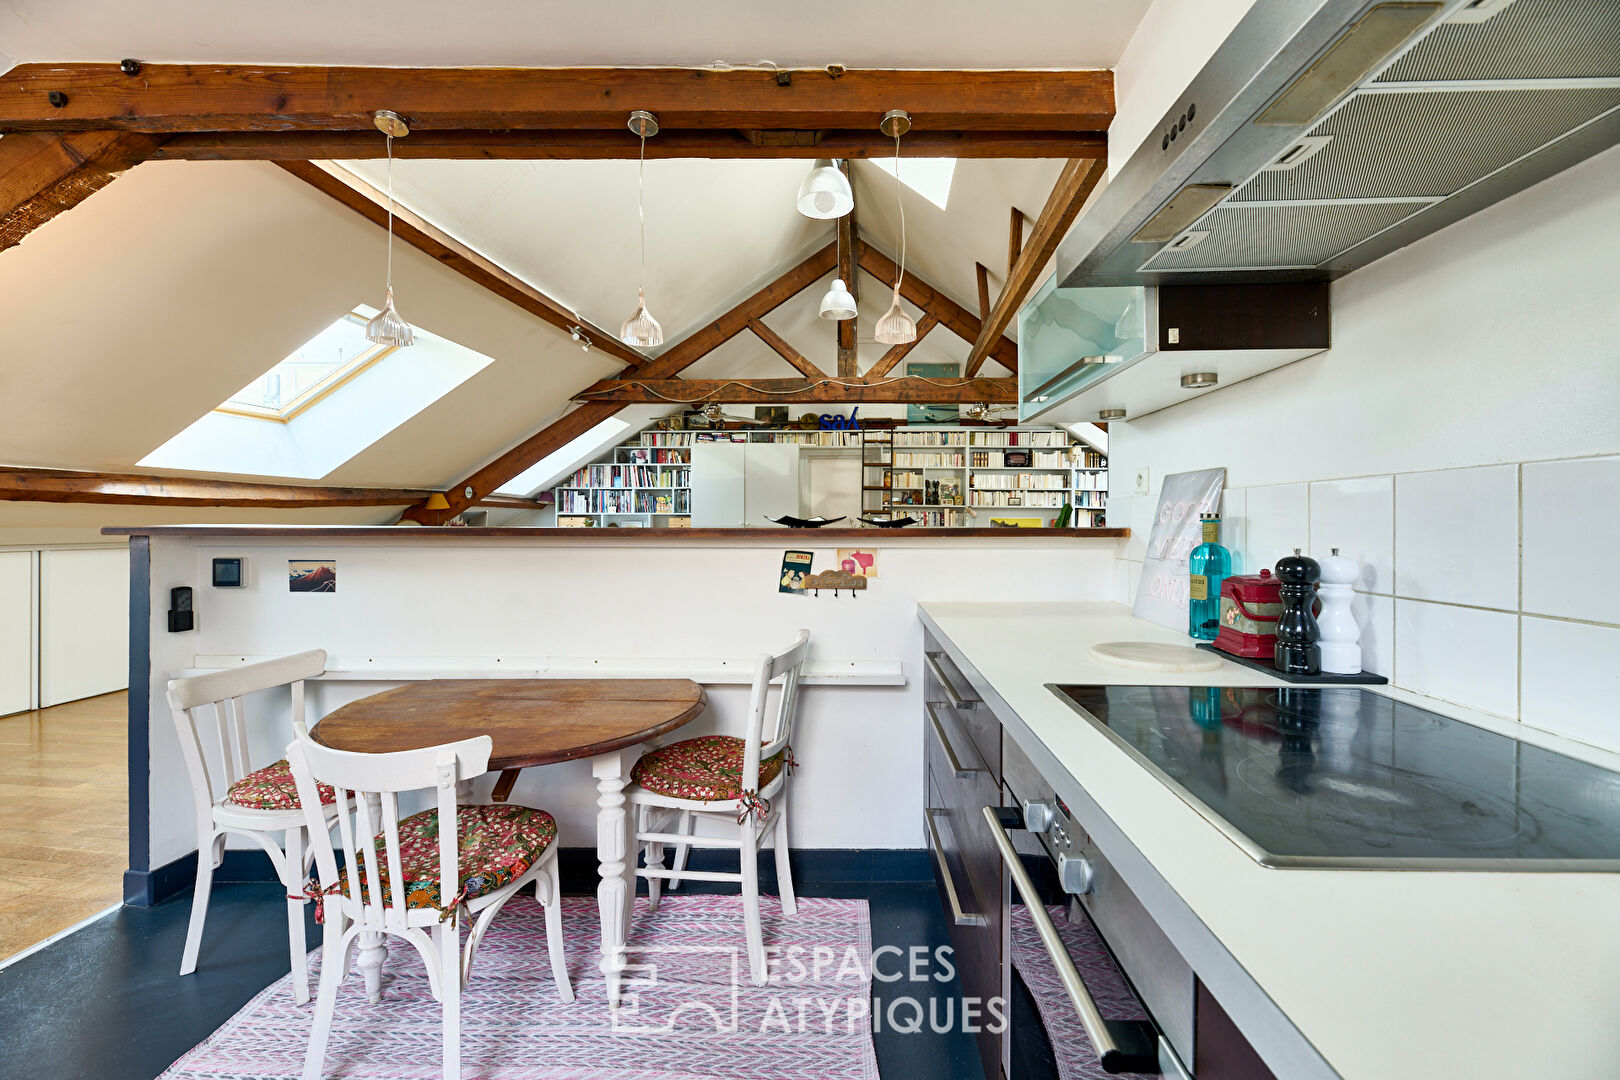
(738,783)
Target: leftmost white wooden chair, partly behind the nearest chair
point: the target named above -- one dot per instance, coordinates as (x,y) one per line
(258,804)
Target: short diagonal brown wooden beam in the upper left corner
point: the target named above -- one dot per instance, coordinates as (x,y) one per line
(43,176)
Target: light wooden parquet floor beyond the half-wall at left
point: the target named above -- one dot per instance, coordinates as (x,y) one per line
(64,846)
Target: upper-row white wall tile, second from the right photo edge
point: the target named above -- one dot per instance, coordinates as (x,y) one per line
(1457,537)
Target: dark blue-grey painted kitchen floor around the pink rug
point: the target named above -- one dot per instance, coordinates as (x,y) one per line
(106,1003)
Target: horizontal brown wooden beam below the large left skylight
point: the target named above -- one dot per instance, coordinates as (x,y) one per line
(36,485)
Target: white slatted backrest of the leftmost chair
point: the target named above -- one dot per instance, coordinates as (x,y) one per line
(221,694)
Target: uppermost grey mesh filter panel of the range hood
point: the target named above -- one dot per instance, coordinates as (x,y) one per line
(1530,40)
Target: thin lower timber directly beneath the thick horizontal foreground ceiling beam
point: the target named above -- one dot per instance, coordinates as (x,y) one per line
(531,145)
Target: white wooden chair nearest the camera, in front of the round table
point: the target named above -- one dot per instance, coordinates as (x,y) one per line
(412,878)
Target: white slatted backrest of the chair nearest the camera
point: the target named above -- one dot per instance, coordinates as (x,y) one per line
(369,806)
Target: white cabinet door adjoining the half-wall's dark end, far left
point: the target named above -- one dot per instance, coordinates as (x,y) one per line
(83,624)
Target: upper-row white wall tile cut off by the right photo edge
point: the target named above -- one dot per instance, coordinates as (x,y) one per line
(1571,508)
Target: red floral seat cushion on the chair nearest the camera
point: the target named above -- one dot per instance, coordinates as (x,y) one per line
(495,846)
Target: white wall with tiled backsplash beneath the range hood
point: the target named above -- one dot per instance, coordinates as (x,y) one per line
(1459,441)
